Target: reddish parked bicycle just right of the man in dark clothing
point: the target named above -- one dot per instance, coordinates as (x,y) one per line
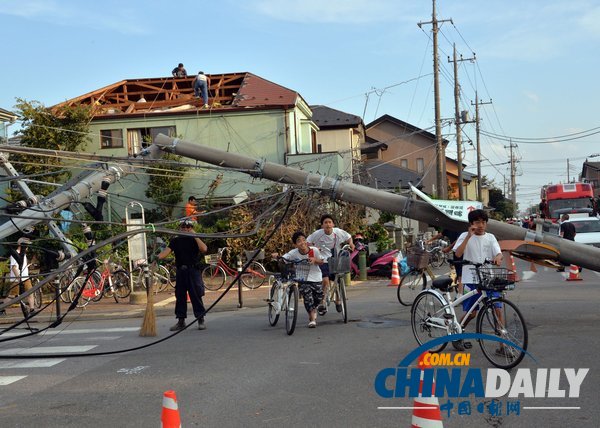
(215,274)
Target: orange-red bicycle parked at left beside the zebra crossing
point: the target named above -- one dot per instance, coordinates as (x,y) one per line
(109,284)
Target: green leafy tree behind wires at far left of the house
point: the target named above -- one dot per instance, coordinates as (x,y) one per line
(66,128)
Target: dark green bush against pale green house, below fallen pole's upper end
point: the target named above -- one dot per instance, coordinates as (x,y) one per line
(165,186)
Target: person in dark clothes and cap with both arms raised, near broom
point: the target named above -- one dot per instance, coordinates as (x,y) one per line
(187,251)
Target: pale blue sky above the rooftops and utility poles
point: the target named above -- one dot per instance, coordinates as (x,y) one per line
(537,60)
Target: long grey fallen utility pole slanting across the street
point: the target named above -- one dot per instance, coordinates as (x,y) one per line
(570,252)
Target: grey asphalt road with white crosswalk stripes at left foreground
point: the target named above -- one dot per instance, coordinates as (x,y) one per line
(242,372)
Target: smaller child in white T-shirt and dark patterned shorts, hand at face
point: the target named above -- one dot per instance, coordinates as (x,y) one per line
(311,288)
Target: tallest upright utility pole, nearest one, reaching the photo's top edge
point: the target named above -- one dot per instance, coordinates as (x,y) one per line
(442,191)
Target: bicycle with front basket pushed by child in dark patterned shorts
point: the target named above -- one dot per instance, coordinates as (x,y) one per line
(283,292)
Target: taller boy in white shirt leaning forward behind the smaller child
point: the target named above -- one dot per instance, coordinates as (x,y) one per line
(329,240)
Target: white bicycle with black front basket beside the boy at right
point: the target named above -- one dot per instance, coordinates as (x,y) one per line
(433,315)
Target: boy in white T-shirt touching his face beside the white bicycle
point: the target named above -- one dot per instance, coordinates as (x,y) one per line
(477,246)
